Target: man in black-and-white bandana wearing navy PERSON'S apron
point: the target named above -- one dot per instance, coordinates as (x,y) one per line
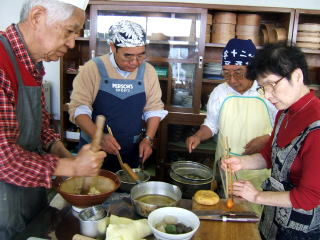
(126,90)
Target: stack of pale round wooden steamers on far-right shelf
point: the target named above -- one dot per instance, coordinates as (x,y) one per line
(308,35)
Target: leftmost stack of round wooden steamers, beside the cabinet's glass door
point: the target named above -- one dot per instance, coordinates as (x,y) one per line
(223,27)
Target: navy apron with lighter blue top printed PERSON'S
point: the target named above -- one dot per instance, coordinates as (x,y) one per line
(121,101)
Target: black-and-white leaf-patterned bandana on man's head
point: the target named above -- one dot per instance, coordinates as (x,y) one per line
(127,34)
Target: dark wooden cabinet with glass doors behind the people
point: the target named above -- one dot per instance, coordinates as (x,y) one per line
(179,51)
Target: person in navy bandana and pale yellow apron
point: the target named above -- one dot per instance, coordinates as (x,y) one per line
(237,112)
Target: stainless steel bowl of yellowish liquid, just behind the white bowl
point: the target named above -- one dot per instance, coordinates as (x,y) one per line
(153,188)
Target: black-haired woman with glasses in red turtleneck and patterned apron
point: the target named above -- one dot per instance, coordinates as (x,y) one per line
(292,194)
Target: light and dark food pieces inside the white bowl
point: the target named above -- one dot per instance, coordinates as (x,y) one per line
(170,224)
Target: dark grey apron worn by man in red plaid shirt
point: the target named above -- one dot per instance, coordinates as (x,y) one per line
(19,205)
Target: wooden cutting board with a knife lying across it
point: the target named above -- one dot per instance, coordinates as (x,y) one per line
(226,230)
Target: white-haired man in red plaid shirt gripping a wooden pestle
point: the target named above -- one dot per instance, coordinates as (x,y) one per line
(30,151)
